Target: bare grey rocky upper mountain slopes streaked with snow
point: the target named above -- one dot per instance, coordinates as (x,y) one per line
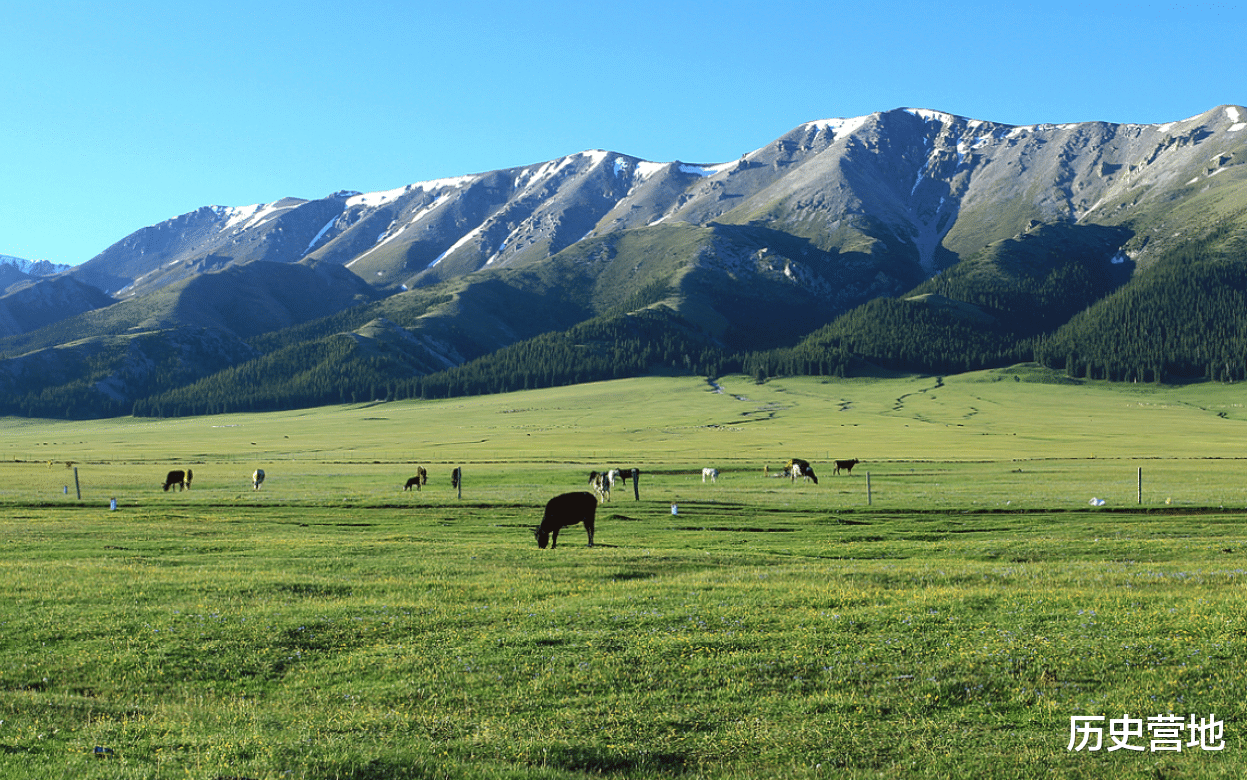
(920,186)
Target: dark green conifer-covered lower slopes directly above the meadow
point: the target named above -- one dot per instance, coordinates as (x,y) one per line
(1183,318)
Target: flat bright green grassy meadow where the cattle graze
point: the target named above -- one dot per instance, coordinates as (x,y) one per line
(942,612)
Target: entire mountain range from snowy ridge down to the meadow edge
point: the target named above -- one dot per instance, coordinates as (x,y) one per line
(907,240)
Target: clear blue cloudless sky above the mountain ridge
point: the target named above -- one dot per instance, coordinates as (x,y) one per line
(123,115)
